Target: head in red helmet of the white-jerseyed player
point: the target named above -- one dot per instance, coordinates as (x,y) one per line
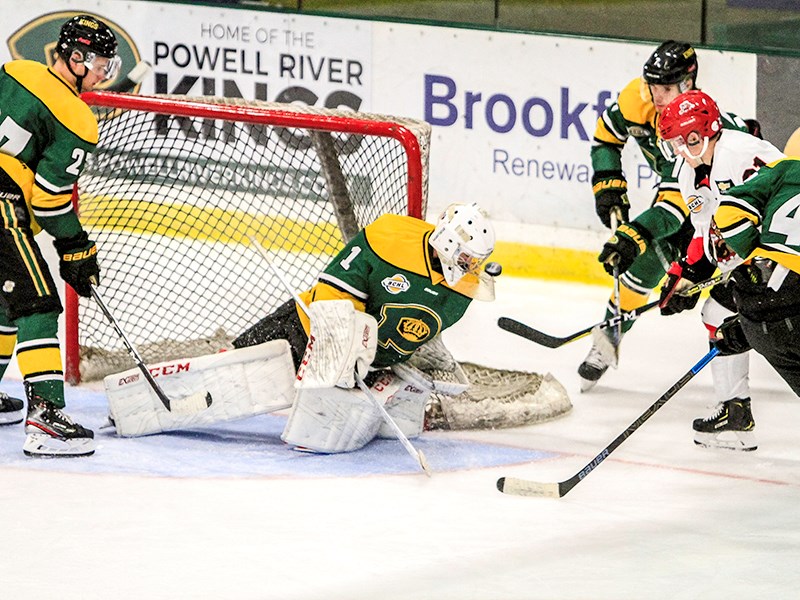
(689,120)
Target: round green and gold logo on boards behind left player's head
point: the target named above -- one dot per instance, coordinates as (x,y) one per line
(36,40)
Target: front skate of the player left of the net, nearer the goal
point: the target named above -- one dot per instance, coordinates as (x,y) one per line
(51,433)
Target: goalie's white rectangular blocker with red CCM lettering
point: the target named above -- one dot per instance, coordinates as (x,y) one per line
(341,343)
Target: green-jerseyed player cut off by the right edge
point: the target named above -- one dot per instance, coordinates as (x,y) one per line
(758,219)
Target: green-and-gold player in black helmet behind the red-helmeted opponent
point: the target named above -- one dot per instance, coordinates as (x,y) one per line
(660,234)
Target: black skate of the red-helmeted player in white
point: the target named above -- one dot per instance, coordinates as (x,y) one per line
(730,427)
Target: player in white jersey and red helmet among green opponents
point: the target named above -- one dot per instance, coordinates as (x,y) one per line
(712,160)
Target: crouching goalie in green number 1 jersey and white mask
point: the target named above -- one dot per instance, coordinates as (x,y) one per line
(410,280)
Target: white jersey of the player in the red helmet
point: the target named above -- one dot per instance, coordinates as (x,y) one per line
(737,157)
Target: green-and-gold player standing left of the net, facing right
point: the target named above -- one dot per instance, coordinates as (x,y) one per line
(48,133)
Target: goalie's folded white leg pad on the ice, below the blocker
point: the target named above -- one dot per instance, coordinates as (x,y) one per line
(331,420)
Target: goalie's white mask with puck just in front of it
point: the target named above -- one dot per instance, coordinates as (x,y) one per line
(463,240)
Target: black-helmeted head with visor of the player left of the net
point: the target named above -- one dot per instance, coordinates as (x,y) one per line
(90,42)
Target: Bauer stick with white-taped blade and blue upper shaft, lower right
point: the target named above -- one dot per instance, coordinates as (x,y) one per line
(524,487)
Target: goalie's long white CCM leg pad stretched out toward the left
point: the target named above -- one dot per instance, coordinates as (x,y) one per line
(242,383)
